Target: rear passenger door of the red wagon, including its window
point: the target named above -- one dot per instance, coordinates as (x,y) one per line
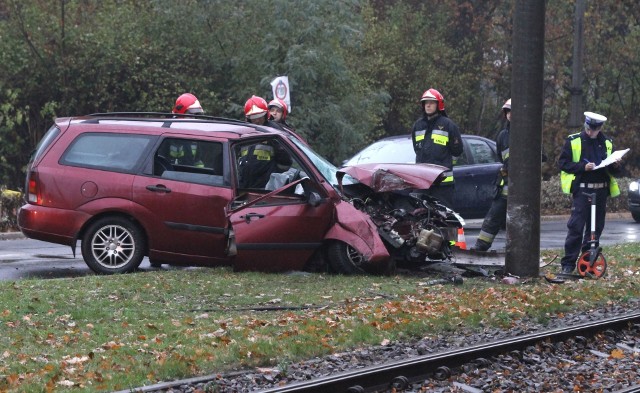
(184,204)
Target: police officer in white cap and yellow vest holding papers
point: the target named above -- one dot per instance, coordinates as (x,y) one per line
(580,155)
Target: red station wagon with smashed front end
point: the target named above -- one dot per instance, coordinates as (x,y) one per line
(209,191)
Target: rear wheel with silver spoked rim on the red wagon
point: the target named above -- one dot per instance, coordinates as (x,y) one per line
(113,245)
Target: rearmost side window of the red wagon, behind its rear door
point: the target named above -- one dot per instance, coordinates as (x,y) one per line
(115,152)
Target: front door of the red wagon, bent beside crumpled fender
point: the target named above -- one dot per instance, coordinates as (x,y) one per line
(280,229)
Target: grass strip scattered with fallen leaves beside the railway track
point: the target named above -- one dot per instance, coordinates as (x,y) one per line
(105,333)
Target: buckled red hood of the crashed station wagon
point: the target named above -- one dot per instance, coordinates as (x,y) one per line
(394,177)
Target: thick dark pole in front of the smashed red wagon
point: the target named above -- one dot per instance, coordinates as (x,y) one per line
(525,140)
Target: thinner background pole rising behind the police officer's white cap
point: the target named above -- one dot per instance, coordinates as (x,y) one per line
(576,116)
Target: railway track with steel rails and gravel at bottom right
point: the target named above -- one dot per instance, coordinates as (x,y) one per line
(414,374)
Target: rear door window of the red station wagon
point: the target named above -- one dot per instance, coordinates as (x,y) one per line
(189,160)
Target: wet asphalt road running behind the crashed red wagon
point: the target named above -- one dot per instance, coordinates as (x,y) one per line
(22,258)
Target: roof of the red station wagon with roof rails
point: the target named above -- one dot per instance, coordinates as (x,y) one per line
(151,122)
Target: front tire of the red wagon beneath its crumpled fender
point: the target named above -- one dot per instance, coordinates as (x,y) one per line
(344,259)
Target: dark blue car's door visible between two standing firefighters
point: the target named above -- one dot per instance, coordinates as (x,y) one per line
(475,176)
